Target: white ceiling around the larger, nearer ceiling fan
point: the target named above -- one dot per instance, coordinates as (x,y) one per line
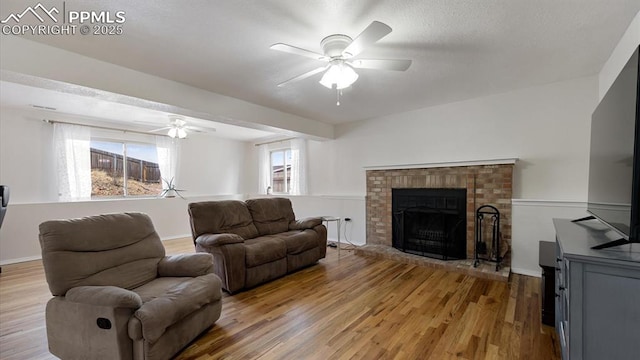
(461,49)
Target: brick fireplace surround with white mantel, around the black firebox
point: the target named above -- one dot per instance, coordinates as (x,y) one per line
(486,183)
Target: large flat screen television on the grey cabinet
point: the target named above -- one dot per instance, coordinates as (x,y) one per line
(614,162)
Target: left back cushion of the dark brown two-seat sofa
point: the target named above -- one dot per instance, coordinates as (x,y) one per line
(217,217)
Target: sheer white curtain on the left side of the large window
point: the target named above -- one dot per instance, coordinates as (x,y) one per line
(72,150)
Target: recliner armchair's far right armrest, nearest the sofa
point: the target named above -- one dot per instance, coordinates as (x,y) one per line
(190,265)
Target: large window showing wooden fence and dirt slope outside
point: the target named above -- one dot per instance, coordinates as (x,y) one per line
(110,177)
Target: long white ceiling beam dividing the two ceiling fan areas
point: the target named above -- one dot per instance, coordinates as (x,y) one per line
(25,61)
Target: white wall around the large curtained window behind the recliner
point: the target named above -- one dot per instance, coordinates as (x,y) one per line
(210,168)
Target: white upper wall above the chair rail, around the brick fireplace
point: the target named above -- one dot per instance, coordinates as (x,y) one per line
(545,127)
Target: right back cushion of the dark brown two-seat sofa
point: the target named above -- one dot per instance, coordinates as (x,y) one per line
(271,215)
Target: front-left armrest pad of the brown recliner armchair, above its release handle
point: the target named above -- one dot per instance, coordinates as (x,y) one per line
(110,296)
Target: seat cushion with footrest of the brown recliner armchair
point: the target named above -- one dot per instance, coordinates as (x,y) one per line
(168,300)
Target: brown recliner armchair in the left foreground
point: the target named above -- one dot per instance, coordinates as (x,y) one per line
(116,294)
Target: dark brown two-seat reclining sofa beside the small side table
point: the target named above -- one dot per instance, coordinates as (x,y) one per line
(255,241)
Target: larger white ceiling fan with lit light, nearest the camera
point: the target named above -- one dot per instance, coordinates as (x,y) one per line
(339,52)
